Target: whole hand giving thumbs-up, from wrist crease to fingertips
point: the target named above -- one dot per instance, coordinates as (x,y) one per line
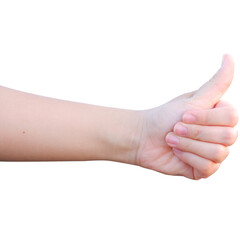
(201,150)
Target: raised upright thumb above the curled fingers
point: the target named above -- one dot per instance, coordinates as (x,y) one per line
(211,92)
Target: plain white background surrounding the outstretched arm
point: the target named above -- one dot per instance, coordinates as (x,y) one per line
(127,54)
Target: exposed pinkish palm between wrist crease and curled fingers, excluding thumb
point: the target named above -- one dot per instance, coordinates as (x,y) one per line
(154,153)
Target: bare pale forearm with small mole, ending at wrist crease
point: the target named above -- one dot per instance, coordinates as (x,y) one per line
(35,128)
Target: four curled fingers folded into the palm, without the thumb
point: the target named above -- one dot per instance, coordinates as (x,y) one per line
(202,138)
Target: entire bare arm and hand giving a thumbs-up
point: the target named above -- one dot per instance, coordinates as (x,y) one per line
(38,128)
